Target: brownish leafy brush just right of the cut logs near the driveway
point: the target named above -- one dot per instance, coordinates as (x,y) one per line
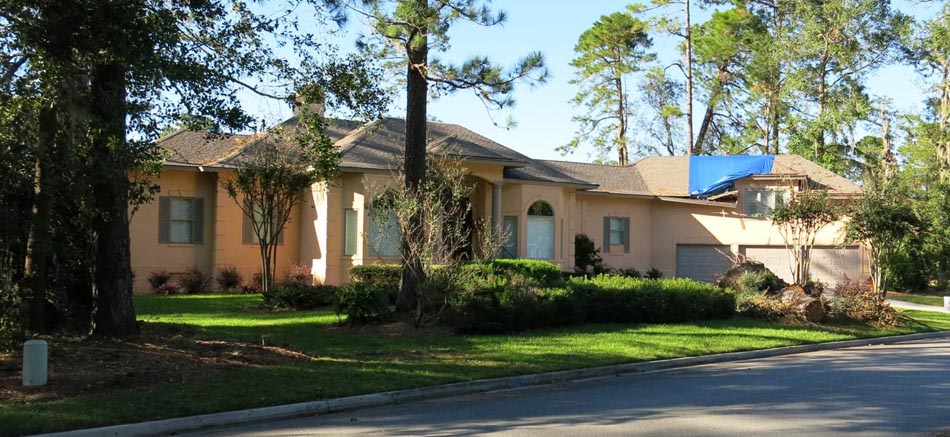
(859,302)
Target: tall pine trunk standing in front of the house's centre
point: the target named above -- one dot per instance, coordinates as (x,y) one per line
(417,96)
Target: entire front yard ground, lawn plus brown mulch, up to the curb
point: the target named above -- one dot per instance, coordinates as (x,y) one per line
(210,353)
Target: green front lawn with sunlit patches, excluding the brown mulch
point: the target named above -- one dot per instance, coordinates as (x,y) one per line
(353,362)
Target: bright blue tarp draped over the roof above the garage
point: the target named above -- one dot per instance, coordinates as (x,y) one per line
(710,175)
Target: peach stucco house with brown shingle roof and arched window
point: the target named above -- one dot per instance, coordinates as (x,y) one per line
(641,215)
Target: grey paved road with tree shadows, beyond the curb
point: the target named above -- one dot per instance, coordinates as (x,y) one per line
(879,390)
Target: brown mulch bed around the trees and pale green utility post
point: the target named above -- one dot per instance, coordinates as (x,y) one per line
(162,354)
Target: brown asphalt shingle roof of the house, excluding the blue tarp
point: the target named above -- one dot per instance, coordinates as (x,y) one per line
(380,145)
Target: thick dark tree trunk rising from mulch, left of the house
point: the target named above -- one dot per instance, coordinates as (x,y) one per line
(114,314)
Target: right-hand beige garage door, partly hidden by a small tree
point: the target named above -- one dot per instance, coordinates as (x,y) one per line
(828,264)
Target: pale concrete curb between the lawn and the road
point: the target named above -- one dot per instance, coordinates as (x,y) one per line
(192,423)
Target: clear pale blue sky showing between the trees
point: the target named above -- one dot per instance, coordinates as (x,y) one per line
(543,114)
